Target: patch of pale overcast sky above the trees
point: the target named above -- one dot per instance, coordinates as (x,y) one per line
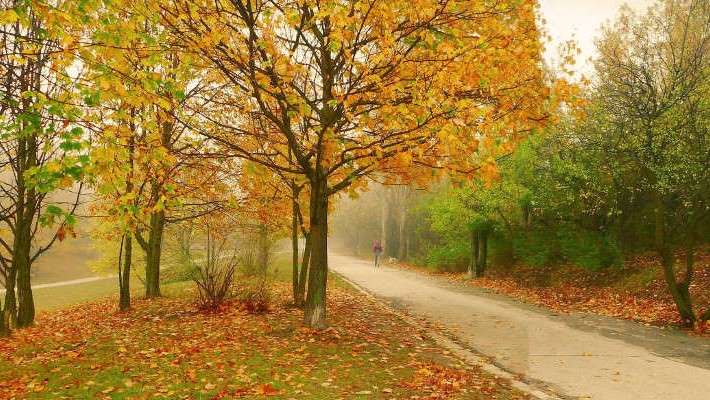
(581,20)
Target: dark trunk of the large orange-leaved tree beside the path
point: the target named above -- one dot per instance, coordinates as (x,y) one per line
(315,309)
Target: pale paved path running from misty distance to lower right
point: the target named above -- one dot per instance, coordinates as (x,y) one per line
(579,356)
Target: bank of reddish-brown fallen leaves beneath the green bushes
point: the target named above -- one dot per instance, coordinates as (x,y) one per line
(635,291)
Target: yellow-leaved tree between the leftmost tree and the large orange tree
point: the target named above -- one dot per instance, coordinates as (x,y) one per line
(141,71)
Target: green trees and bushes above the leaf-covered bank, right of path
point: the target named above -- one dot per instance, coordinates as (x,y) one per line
(632,175)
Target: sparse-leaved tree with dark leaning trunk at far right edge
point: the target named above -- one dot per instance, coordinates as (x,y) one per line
(652,91)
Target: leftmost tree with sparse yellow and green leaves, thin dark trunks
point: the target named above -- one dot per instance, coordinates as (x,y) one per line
(41,146)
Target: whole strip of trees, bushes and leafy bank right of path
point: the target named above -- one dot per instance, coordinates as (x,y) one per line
(606,212)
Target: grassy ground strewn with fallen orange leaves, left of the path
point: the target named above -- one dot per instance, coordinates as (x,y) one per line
(167,349)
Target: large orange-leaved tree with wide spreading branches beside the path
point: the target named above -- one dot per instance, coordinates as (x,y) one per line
(330,92)
